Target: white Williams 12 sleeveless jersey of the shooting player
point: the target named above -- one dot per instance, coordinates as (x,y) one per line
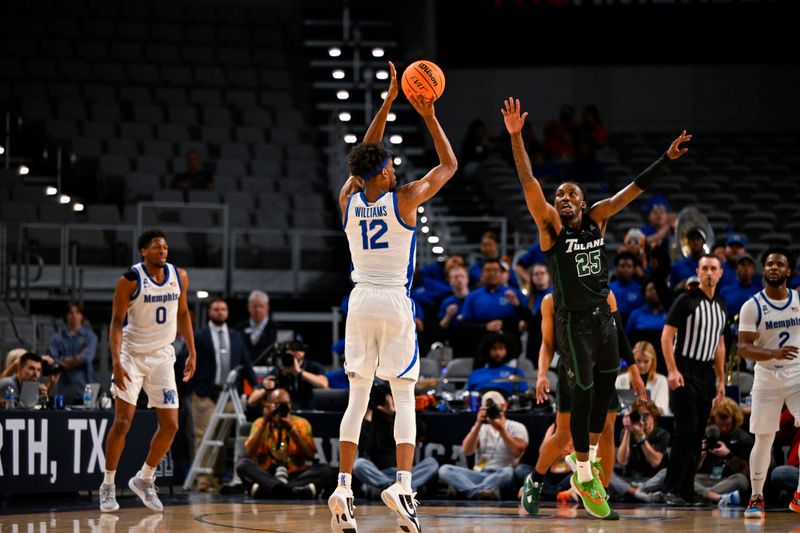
(382,246)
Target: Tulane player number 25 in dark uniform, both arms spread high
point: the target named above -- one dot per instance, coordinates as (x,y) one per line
(572,240)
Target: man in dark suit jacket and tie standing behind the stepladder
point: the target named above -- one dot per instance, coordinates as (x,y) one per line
(219,349)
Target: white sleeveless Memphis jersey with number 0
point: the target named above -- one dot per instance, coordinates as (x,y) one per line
(152,319)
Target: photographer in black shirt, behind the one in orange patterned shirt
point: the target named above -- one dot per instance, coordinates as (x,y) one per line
(293,372)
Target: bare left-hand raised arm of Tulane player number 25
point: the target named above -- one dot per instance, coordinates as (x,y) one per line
(543,213)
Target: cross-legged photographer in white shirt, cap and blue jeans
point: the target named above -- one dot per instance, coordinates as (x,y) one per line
(499,443)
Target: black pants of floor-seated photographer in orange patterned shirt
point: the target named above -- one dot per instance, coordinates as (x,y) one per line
(322,476)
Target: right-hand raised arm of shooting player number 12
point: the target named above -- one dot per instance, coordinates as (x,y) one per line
(410,196)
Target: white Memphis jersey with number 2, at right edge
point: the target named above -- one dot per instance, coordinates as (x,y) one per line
(776,324)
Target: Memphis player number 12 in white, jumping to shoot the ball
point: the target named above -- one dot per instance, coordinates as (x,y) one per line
(380,339)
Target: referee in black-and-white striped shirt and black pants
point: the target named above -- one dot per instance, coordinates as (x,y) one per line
(694,350)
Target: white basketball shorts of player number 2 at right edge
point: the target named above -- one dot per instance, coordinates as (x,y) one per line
(772,387)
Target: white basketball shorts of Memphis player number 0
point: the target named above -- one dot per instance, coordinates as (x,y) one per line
(155,373)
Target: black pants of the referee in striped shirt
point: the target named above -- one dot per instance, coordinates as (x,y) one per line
(691,405)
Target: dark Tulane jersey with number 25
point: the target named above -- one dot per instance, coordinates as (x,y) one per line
(579,268)
